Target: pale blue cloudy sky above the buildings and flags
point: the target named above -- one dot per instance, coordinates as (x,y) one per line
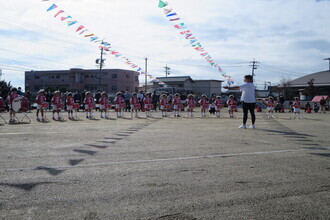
(290,38)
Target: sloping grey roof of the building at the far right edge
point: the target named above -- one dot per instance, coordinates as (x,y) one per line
(321,79)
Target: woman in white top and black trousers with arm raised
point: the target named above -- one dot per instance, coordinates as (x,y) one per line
(248,99)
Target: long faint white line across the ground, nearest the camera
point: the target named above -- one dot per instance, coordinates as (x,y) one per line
(159,160)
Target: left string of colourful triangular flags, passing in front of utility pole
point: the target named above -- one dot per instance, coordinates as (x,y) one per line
(83,31)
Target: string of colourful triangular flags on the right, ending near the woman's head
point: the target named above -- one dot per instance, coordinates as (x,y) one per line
(184,31)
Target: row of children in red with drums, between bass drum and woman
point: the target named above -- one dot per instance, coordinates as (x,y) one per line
(135,104)
